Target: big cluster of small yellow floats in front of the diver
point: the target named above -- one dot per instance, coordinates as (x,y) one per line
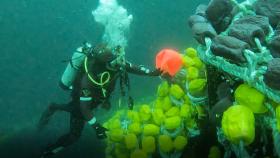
(162,125)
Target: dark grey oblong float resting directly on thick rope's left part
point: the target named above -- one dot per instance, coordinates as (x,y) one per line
(230,48)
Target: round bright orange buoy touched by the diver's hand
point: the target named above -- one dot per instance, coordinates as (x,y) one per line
(169,61)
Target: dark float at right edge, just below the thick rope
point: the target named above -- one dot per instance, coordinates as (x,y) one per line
(272,76)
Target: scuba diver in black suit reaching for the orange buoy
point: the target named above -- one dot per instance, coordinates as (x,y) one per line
(91,76)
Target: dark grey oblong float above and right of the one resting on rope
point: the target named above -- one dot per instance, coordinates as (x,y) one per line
(247,33)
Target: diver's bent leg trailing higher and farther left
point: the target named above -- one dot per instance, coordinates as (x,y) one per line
(51,109)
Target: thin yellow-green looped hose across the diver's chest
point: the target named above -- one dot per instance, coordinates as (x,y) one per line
(104,79)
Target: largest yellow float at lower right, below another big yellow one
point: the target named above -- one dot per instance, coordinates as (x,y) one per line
(238,124)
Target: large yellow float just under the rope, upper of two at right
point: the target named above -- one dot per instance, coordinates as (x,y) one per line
(250,97)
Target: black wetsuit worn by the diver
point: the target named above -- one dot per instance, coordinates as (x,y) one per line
(80,111)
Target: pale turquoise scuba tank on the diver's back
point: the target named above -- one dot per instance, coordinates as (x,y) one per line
(74,66)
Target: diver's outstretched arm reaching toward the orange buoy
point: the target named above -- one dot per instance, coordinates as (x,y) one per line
(141,70)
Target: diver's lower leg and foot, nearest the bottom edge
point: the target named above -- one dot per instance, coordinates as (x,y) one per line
(76,127)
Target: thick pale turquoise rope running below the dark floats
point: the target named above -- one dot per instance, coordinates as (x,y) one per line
(242,72)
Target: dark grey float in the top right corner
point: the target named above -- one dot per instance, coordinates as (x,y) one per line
(270,9)
